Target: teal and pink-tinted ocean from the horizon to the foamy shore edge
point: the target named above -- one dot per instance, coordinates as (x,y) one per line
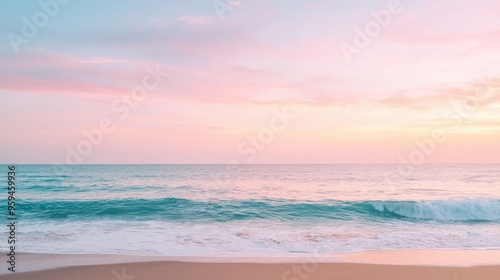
(254,210)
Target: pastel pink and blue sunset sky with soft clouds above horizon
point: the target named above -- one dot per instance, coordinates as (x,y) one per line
(249,81)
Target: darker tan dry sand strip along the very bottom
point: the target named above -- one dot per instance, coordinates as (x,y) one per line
(263,271)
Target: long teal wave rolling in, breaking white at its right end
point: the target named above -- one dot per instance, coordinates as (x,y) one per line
(180,209)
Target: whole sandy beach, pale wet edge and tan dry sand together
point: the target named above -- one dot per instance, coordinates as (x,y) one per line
(105,267)
